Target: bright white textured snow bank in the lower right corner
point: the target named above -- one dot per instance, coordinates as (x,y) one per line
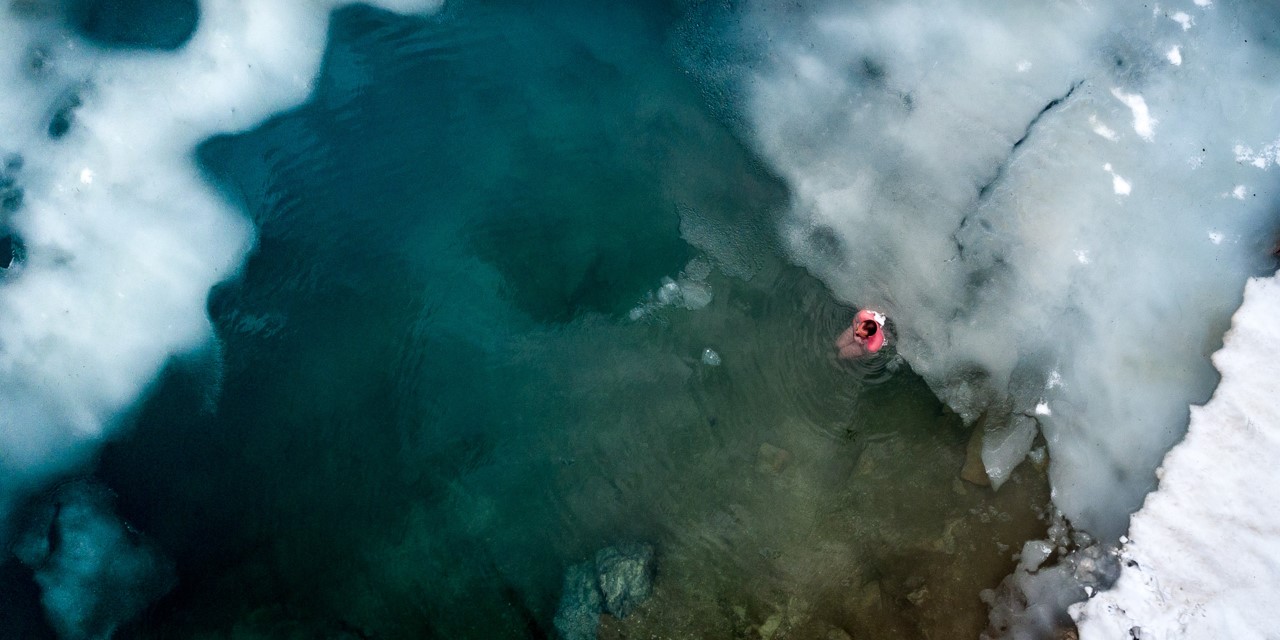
(1204,557)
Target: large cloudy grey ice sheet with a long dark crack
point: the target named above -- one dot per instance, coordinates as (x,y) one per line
(936,181)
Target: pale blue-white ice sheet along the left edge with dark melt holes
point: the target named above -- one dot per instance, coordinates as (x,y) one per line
(121,236)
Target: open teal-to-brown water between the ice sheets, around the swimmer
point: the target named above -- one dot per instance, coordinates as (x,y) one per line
(431,394)
